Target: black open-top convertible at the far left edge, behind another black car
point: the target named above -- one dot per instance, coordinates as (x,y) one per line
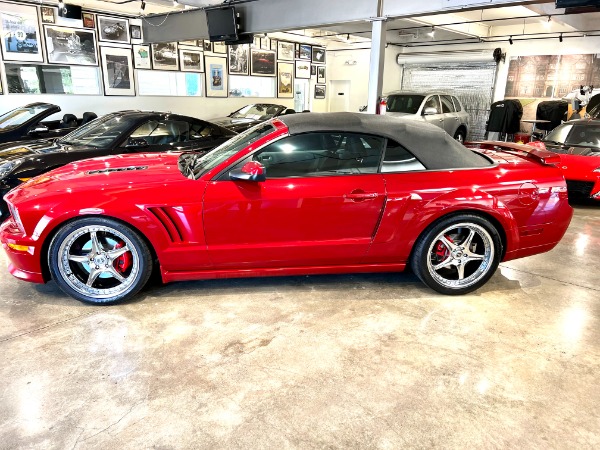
(27,123)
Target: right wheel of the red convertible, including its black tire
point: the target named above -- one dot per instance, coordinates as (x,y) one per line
(430,252)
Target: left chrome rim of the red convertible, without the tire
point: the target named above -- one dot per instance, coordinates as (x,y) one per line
(98,261)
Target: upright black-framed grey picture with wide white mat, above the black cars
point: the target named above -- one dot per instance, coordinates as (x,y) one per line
(117,70)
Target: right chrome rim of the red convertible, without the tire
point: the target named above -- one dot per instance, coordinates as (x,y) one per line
(460,255)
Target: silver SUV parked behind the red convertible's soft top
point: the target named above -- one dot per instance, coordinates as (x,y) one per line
(437,108)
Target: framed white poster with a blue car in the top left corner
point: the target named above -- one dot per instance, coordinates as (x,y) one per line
(20,33)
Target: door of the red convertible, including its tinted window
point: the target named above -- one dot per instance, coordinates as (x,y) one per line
(320,204)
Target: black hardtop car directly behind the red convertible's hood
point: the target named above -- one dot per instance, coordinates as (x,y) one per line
(113,134)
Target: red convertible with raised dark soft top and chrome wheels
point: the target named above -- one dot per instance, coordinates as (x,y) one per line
(300,194)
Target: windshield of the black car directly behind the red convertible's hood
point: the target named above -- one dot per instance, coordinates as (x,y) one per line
(100,133)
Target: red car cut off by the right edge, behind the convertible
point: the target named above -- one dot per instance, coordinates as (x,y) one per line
(578,143)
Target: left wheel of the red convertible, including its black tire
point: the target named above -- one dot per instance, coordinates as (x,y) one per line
(99,260)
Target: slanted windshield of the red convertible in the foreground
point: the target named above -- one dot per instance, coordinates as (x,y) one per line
(194,165)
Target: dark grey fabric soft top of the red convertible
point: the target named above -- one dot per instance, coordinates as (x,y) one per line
(430,144)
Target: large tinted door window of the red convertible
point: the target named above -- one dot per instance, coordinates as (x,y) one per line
(318,154)
